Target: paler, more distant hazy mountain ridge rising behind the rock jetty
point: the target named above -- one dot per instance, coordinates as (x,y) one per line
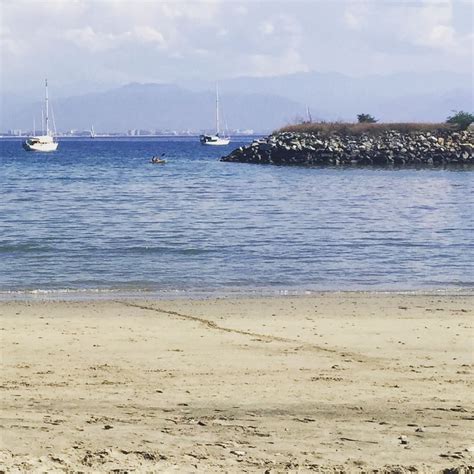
(395,97)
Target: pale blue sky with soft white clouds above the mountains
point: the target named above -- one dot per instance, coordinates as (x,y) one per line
(90,44)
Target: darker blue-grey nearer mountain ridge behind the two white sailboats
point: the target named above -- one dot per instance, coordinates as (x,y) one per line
(158,106)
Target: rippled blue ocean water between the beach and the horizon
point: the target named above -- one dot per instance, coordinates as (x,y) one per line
(96,216)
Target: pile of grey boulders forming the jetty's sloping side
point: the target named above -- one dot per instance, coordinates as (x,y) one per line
(390,148)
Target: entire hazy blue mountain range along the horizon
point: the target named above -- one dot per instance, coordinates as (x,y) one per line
(262,104)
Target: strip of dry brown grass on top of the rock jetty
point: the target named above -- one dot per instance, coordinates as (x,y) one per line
(327,128)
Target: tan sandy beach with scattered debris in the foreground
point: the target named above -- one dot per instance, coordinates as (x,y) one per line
(346,382)
